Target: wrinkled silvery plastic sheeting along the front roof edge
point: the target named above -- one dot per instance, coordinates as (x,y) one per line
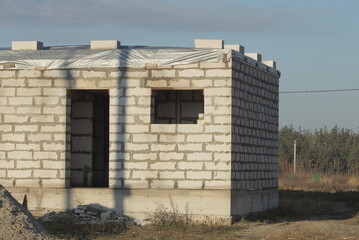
(81,57)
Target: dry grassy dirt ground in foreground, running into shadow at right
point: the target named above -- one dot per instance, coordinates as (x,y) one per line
(301,216)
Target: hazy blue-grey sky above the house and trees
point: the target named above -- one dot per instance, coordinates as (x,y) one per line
(314,42)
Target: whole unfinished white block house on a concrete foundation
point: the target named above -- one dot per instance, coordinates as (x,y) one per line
(133,128)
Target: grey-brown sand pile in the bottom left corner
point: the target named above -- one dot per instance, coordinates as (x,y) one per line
(16,222)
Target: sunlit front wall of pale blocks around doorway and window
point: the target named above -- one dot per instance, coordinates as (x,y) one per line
(35,127)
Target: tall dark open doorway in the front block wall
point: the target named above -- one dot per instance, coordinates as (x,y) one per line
(89,165)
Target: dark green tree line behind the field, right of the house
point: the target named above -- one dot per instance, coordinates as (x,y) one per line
(324,150)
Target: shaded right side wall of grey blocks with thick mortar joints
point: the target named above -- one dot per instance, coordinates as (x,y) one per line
(254,127)
